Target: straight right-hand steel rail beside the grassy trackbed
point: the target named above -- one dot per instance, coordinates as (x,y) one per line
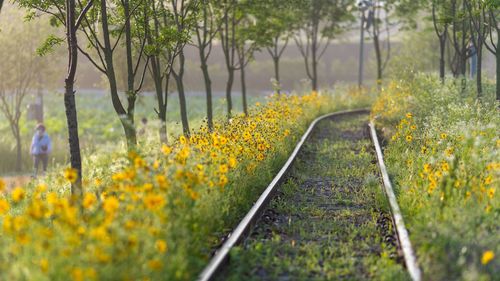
(402,233)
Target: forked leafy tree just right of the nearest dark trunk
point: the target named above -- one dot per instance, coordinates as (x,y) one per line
(115,19)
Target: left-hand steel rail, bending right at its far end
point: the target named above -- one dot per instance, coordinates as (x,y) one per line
(222,255)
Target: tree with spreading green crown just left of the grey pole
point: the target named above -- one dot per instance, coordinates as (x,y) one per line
(321,20)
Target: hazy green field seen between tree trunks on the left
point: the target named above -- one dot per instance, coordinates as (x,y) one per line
(99,124)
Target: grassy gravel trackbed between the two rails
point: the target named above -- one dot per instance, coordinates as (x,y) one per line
(328,220)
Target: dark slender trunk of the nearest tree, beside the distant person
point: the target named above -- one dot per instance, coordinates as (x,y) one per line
(69,98)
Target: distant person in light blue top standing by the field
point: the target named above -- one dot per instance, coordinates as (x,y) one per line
(41,147)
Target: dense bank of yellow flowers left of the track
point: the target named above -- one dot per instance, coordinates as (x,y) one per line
(157,214)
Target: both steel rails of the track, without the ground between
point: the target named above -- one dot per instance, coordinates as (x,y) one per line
(222,255)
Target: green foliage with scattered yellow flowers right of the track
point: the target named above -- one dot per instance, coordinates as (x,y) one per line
(443,156)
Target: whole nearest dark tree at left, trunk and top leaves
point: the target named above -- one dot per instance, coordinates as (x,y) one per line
(65,14)
